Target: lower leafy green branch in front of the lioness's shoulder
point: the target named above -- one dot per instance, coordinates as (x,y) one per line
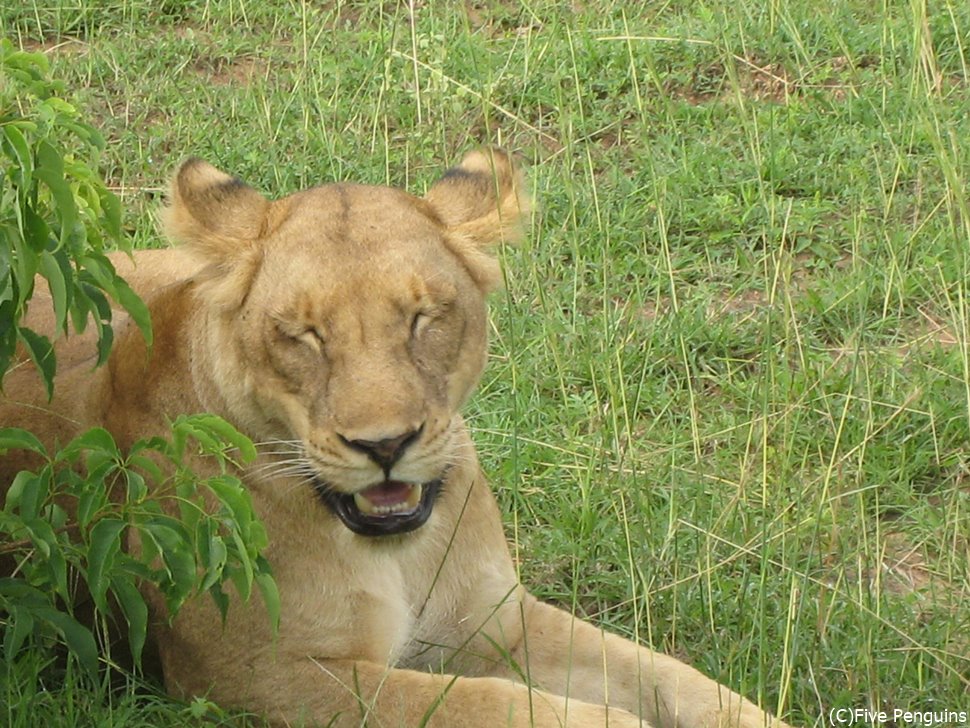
(66,523)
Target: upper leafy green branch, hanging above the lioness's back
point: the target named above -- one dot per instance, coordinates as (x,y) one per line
(57,217)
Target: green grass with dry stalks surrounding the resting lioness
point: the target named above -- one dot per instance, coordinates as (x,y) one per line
(728,410)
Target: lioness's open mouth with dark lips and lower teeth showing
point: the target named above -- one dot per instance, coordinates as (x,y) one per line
(385,509)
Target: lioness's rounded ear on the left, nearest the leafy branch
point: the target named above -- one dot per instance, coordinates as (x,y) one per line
(220,219)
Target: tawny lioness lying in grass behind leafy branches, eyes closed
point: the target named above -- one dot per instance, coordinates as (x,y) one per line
(345,325)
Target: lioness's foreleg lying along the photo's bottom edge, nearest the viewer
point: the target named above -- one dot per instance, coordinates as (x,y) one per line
(352,693)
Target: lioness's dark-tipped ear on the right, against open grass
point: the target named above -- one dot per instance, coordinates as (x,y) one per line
(482,203)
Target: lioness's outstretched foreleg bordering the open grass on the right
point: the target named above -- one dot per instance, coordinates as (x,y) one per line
(565,655)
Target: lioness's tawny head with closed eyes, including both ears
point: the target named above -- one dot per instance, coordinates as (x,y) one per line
(347,323)
